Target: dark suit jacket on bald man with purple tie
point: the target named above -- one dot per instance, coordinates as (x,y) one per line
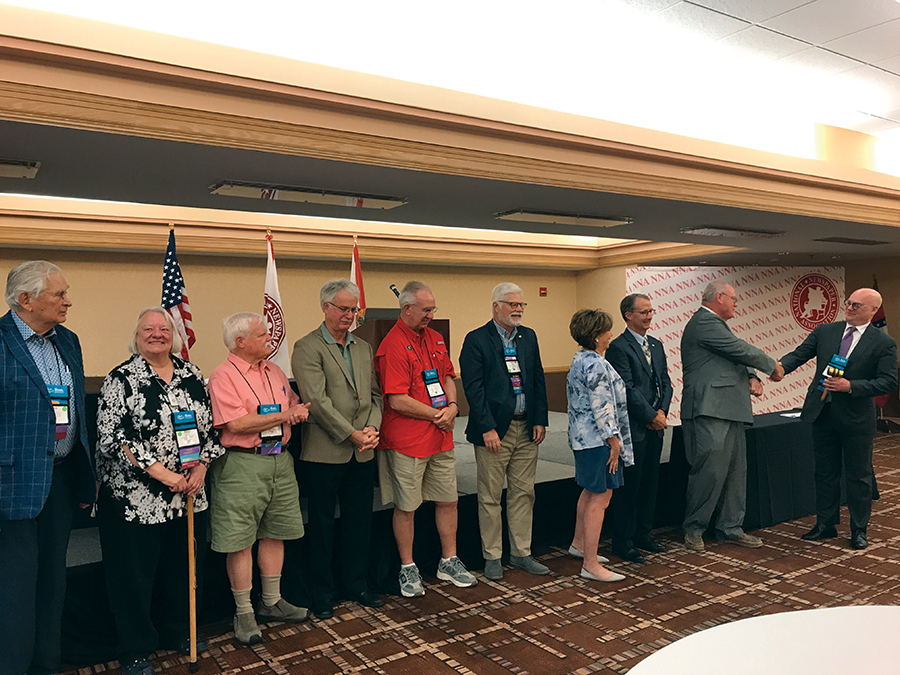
(871,369)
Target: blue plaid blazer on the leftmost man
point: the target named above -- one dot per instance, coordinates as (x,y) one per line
(27,424)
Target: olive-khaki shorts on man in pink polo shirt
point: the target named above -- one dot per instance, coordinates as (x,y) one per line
(253,497)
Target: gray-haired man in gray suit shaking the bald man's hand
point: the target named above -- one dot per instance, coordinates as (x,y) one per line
(715,405)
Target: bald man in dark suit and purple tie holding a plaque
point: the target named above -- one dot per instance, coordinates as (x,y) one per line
(844,423)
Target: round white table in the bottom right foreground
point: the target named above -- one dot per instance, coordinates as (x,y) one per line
(862,640)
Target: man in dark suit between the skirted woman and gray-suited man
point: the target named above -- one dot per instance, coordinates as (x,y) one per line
(641,362)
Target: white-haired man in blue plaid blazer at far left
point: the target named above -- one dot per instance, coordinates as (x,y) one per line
(45,464)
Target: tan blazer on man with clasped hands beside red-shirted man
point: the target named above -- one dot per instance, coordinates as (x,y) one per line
(338,406)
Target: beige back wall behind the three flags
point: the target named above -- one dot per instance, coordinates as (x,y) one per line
(109,289)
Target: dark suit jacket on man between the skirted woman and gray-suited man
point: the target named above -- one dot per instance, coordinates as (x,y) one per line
(648,390)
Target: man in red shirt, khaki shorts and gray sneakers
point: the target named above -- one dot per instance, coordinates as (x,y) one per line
(417,462)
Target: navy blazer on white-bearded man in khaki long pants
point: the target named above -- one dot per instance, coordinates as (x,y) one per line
(486,382)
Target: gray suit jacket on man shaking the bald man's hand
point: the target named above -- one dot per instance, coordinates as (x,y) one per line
(717,366)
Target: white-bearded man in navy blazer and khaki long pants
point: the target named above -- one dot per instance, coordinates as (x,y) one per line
(502,375)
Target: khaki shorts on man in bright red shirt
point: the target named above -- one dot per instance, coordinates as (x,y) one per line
(408,481)
